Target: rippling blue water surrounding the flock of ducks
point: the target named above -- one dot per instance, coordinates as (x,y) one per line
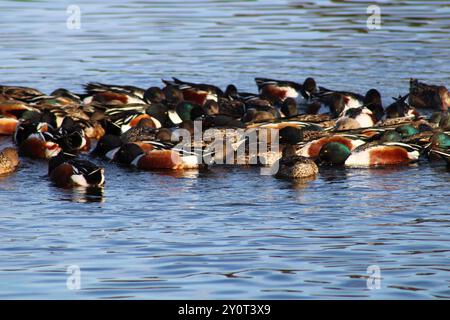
(227,232)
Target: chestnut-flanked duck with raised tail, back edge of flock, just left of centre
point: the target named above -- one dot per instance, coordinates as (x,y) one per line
(195,92)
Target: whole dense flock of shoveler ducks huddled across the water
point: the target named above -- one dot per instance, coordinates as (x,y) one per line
(134,127)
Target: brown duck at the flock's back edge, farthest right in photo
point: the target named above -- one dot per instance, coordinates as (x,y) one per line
(422,95)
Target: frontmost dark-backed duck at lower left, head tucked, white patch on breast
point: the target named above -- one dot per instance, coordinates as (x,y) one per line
(66,171)
